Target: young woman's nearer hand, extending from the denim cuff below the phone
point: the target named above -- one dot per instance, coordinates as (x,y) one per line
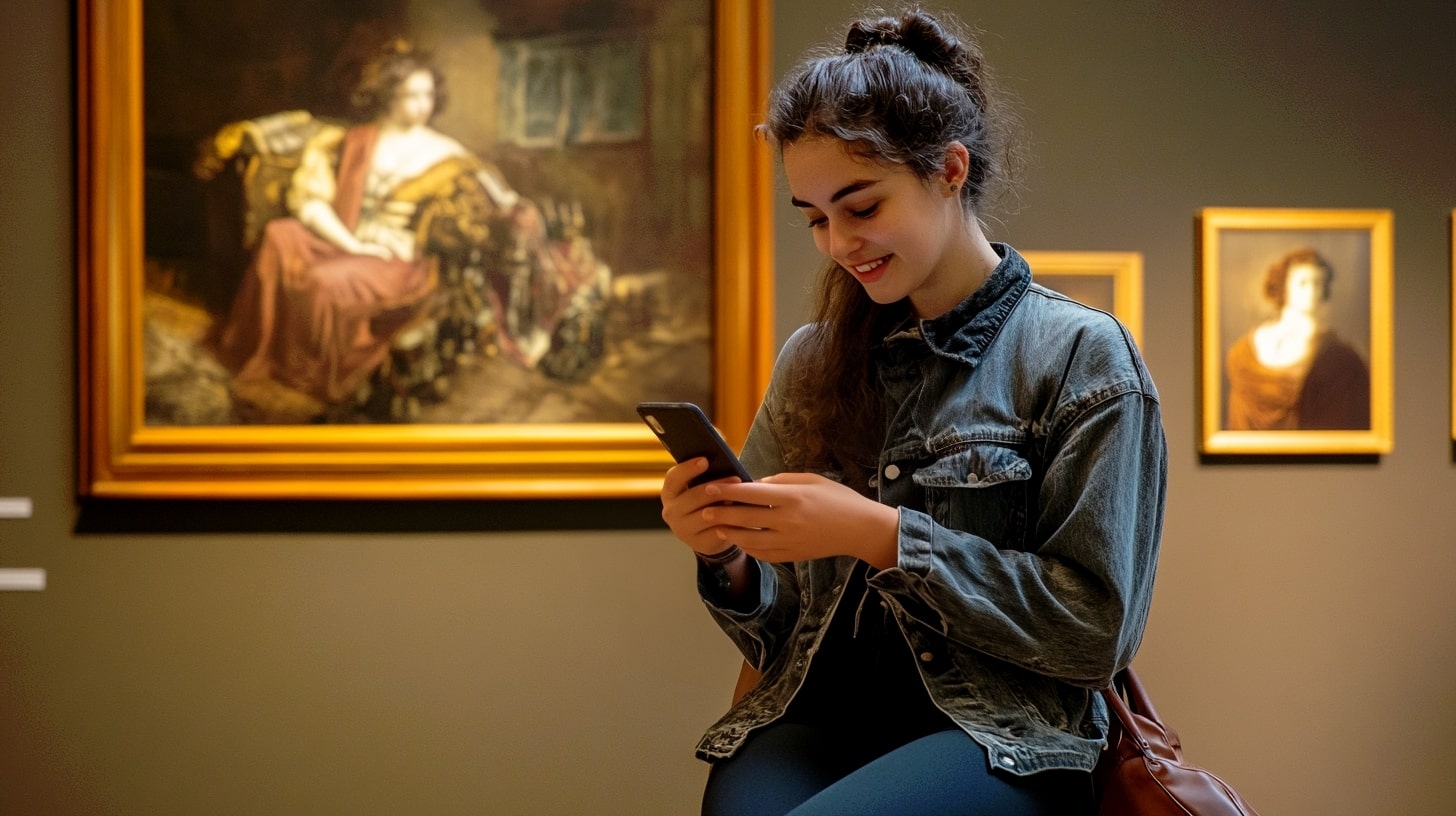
(796,518)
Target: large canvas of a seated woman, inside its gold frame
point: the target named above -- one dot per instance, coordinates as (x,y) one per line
(433,215)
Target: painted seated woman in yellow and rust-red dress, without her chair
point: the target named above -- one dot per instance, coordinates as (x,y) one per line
(330,285)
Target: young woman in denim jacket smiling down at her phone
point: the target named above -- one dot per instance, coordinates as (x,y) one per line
(953,538)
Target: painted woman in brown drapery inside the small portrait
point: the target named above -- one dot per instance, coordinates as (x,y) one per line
(1292,372)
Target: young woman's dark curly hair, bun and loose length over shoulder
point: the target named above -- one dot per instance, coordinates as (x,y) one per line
(899,91)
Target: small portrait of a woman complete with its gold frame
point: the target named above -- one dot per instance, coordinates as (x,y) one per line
(1297,331)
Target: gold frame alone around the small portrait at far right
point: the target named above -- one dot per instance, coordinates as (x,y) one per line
(1378,228)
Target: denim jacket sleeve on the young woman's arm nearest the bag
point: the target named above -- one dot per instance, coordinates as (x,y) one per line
(1074,603)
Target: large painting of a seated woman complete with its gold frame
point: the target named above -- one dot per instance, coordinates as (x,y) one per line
(416,248)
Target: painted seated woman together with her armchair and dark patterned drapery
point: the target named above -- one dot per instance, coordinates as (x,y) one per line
(382,227)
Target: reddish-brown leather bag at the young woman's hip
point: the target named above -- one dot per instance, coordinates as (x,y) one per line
(1142,773)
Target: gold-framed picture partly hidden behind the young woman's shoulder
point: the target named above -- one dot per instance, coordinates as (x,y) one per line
(1112,282)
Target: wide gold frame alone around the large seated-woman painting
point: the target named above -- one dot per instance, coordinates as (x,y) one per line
(122,455)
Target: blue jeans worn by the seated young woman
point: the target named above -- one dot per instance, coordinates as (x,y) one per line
(800,770)
